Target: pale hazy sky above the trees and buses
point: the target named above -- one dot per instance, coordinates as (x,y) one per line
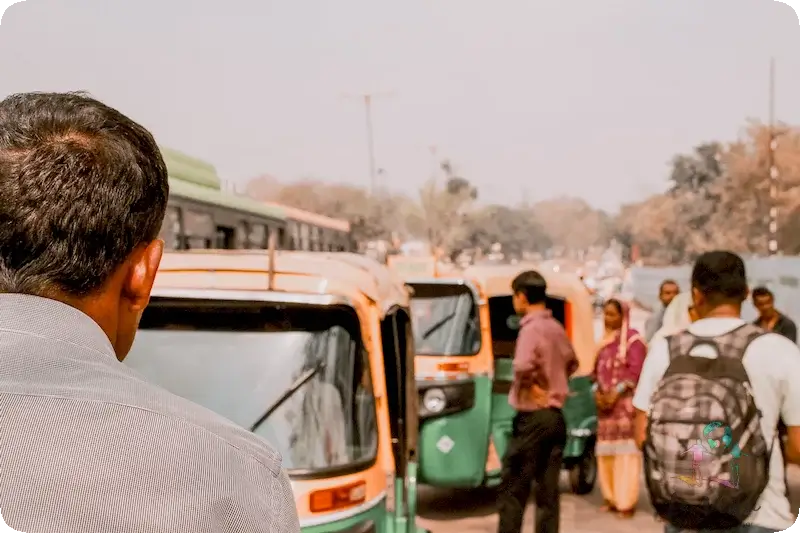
(528,98)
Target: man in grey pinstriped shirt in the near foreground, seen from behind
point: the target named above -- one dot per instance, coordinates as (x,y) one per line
(88,446)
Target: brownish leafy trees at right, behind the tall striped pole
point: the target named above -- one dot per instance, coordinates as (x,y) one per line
(719,197)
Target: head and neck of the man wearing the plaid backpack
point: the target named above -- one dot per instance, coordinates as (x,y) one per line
(719,284)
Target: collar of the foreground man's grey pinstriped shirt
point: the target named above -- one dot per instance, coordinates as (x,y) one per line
(50,319)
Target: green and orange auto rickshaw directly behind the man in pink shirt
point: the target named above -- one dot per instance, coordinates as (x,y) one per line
(465,328)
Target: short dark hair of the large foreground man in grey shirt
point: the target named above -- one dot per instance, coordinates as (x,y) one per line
(81,186)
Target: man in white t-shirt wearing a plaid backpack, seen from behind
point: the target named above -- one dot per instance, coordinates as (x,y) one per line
(707,408)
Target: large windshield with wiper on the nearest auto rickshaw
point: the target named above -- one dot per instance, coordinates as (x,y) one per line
(240,358)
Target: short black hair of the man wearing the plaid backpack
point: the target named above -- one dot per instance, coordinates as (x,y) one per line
(721,277)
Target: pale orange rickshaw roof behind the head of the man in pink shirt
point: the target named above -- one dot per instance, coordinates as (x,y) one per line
(495,280)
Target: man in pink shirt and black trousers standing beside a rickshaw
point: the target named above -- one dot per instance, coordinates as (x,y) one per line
(543,362)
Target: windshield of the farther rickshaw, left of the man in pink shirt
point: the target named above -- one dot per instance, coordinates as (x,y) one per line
(445,320)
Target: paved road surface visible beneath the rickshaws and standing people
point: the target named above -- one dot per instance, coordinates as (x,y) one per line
(473,511)
